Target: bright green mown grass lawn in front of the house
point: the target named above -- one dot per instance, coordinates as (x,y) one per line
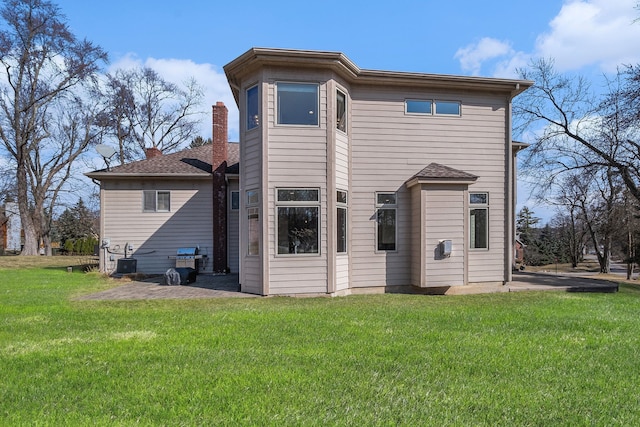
(529,358)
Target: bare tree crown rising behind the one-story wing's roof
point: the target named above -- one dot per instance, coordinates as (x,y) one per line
(149,112)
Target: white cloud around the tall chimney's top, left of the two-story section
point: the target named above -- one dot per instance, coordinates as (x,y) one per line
(178,71)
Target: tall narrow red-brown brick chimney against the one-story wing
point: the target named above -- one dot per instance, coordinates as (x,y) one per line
(218,168)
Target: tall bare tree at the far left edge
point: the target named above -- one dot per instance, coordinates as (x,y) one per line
(42,64)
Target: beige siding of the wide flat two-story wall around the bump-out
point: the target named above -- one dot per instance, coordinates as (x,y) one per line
(389,147)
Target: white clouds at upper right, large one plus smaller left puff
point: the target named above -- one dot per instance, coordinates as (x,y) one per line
(584,33)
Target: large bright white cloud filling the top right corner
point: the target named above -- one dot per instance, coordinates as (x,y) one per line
(593,32)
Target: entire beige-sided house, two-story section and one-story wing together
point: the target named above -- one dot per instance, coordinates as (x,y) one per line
(351,181)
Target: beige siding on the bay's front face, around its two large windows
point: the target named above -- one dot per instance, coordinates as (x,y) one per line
(297,158)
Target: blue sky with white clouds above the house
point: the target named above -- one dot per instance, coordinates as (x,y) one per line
(196,38)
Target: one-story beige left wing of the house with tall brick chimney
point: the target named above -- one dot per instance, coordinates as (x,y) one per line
(151,208)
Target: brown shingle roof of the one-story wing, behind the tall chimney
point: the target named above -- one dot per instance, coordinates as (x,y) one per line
(189,162)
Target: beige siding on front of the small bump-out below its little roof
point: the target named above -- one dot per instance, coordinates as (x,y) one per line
(445,219)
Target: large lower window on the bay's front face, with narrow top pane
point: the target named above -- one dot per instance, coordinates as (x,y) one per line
(298,216)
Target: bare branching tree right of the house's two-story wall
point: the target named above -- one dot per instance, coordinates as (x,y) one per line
(574,129)
